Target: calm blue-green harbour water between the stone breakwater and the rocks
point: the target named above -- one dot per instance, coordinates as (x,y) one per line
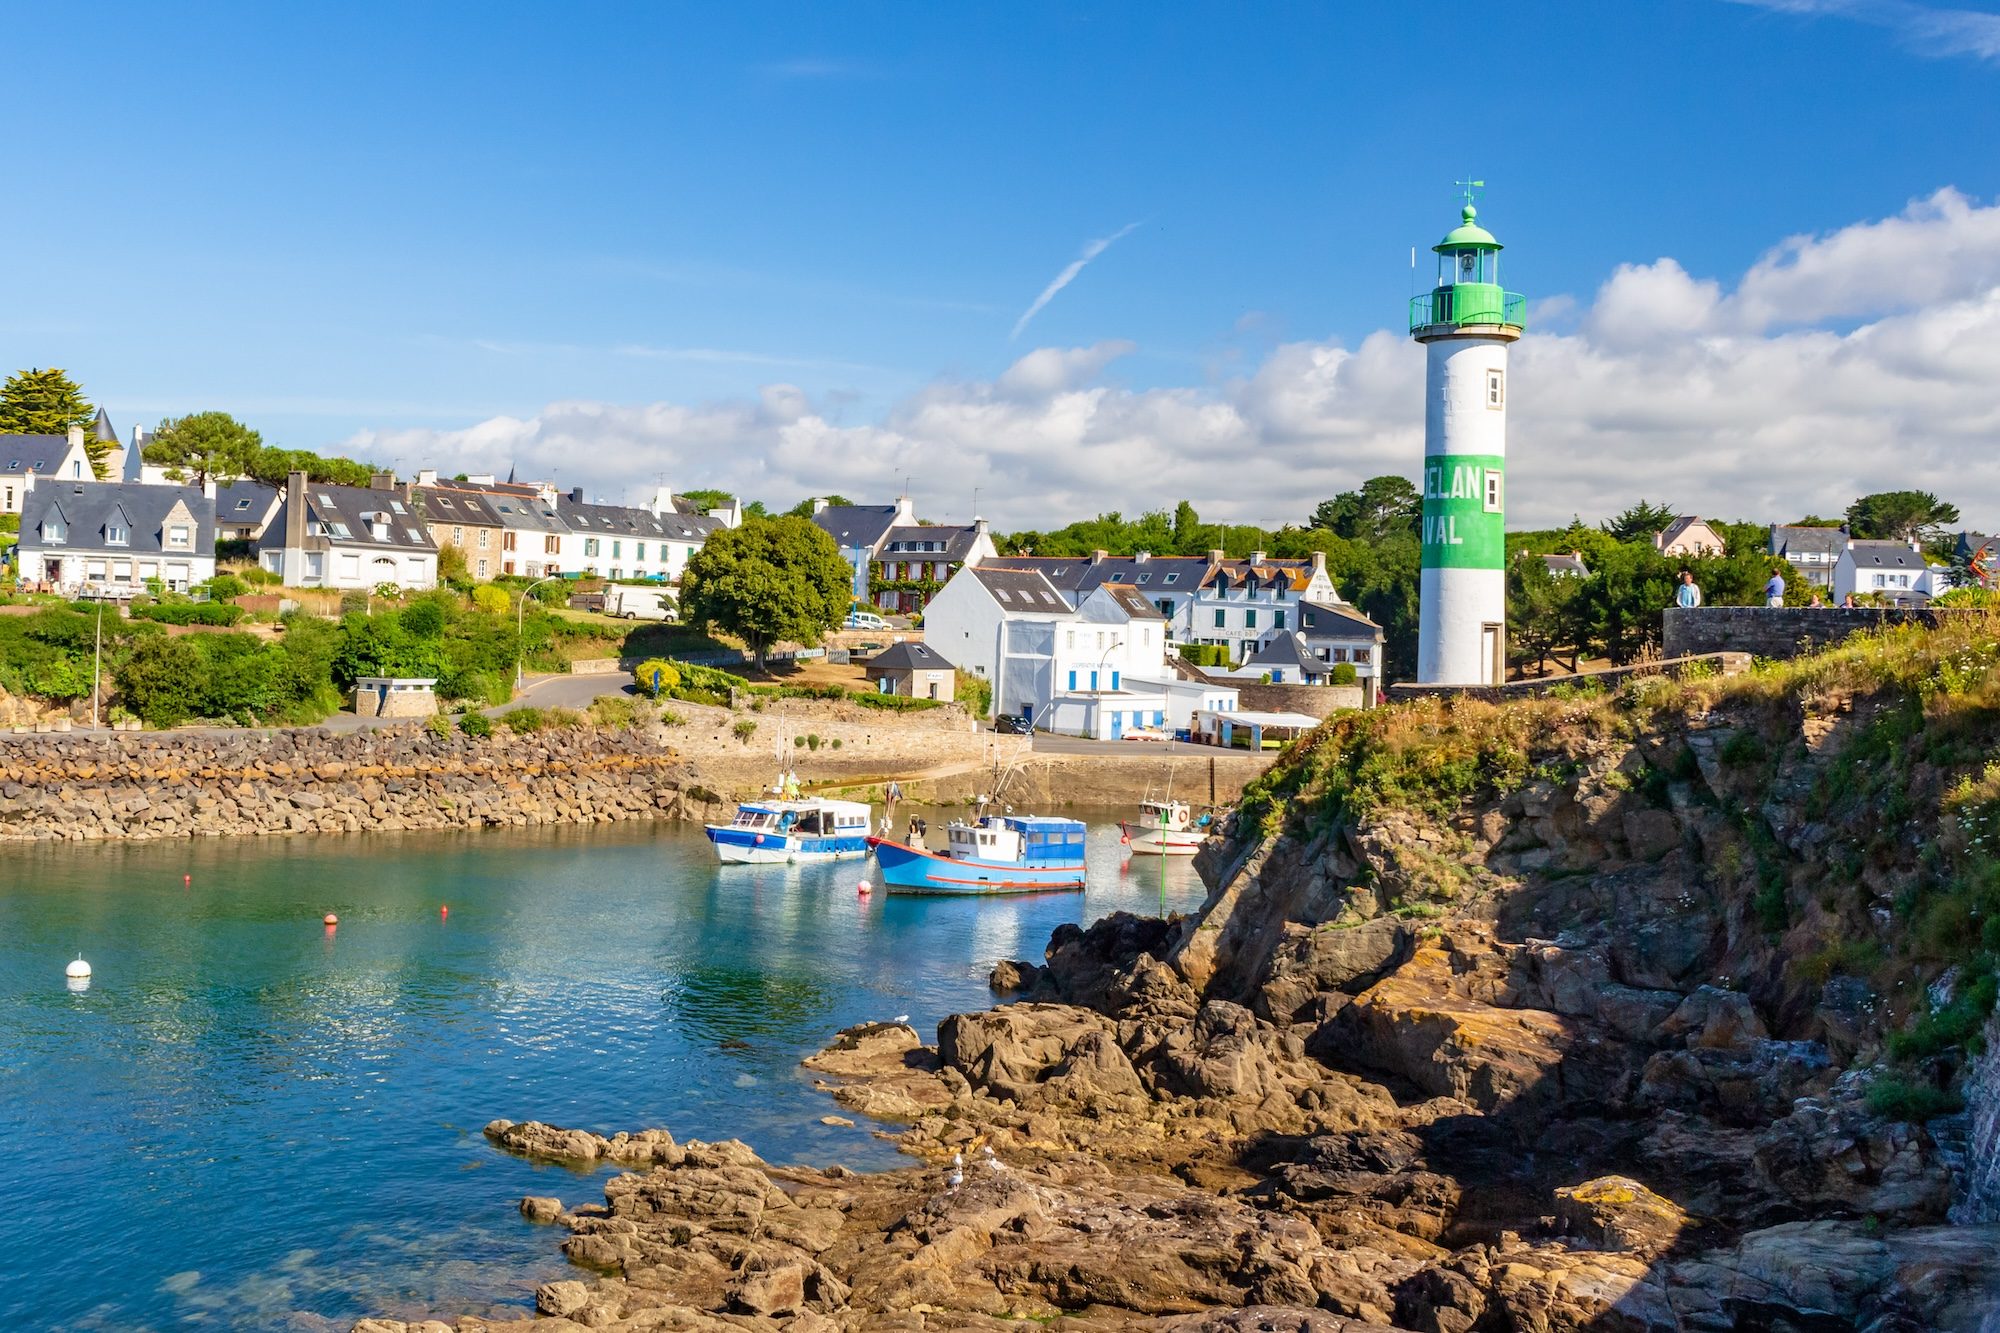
(251,1122)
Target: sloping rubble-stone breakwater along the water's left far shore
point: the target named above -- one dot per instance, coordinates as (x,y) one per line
(179,786)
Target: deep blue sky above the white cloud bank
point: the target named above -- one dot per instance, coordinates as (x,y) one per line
(385,225)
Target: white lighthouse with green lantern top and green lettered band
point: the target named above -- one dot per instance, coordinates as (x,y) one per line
(1467,325)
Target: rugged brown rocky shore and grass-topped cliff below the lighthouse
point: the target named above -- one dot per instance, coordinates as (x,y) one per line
(1621,1016)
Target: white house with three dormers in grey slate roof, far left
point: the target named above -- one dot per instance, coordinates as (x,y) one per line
(115,537)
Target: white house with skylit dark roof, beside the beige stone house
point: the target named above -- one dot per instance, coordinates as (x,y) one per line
(349,537)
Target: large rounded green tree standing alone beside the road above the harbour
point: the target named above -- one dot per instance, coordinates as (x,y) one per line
(765,581)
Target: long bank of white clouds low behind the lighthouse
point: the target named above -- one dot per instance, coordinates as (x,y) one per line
(1837,365)
